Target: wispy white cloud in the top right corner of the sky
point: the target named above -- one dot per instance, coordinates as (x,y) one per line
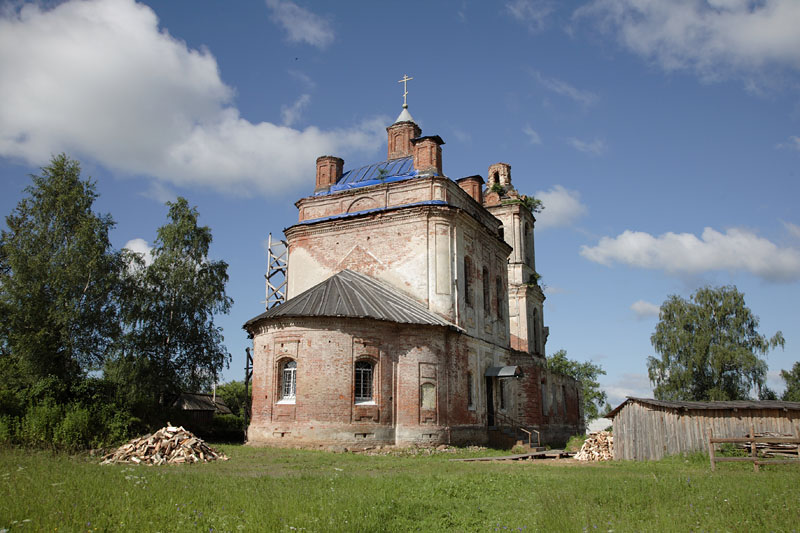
(714,38)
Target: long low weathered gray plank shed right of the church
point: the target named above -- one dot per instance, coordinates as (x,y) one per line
(651,429)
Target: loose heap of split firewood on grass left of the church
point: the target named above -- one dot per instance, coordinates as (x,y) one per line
(168,445)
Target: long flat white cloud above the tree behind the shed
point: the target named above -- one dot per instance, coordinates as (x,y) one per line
(684,253)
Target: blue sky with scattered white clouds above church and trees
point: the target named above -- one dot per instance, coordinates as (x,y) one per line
(663,137)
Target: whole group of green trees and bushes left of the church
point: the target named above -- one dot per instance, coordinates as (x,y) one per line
(95,343)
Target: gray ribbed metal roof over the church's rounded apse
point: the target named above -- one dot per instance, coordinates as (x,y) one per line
(354,295)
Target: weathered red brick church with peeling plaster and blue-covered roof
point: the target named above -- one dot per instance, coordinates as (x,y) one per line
(413,313)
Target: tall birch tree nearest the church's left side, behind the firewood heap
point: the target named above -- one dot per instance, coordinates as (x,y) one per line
(171,342)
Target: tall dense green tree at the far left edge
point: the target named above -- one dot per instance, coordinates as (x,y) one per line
(58,280)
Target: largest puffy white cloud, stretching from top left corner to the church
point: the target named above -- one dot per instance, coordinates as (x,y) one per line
(99,80)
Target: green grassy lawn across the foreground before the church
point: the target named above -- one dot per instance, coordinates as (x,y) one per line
(291,490)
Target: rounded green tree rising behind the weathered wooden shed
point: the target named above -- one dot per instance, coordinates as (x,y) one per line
(709,347)
